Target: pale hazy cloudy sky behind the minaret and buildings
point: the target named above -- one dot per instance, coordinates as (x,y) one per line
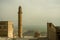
(35,12)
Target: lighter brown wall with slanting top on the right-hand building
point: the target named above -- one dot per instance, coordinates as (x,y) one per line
(51,31)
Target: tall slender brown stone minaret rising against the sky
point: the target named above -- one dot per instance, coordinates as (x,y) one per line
(20,22)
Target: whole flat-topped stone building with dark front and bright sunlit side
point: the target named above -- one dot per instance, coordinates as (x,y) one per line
(6,29)
